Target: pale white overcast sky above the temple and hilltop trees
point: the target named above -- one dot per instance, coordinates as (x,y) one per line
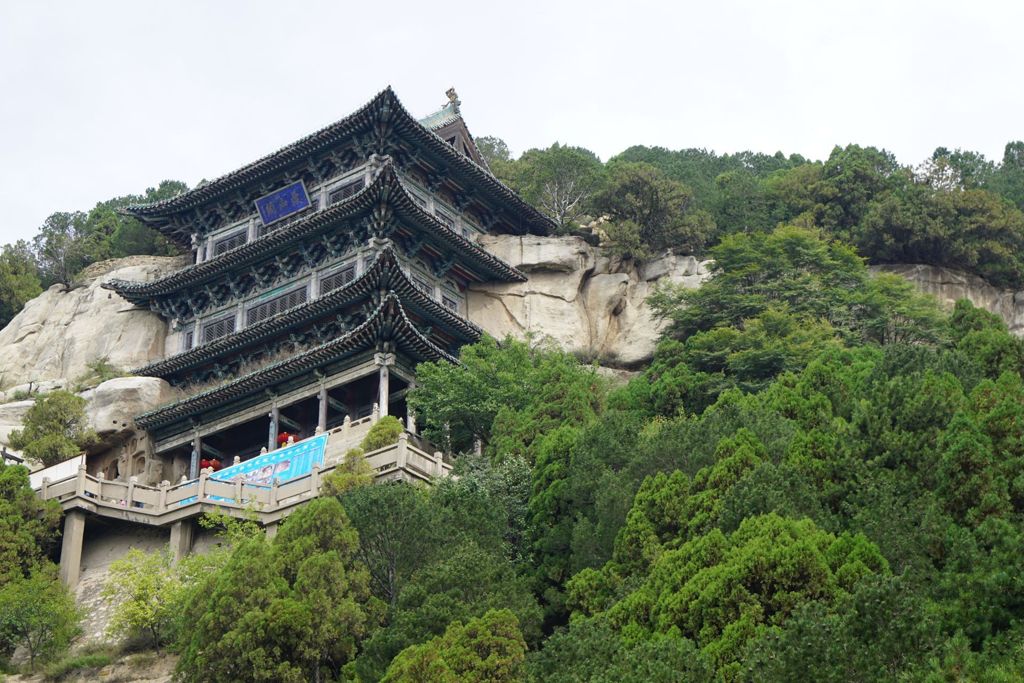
(106,99)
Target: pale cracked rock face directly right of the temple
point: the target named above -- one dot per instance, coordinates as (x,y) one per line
(579,296)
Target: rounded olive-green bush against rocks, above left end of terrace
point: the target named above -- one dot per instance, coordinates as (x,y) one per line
(55,429)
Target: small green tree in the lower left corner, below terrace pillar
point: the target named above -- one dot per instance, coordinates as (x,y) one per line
(37,613)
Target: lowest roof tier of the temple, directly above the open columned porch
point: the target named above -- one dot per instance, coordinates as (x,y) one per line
(388,323)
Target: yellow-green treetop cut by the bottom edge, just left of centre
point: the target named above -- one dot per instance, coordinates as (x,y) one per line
(489,650)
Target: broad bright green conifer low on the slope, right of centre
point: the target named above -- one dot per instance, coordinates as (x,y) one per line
(722,591)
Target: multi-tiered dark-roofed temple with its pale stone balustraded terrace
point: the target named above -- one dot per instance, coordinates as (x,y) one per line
(323,274)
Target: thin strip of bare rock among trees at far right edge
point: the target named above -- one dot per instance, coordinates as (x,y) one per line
(949,286)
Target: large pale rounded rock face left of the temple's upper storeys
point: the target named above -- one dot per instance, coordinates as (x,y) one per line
(61,332)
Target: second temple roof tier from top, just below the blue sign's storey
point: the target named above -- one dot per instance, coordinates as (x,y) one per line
(387,189)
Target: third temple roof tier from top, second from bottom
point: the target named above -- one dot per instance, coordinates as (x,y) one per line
(385,275)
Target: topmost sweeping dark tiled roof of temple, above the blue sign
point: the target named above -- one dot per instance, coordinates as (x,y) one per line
(385,107)
